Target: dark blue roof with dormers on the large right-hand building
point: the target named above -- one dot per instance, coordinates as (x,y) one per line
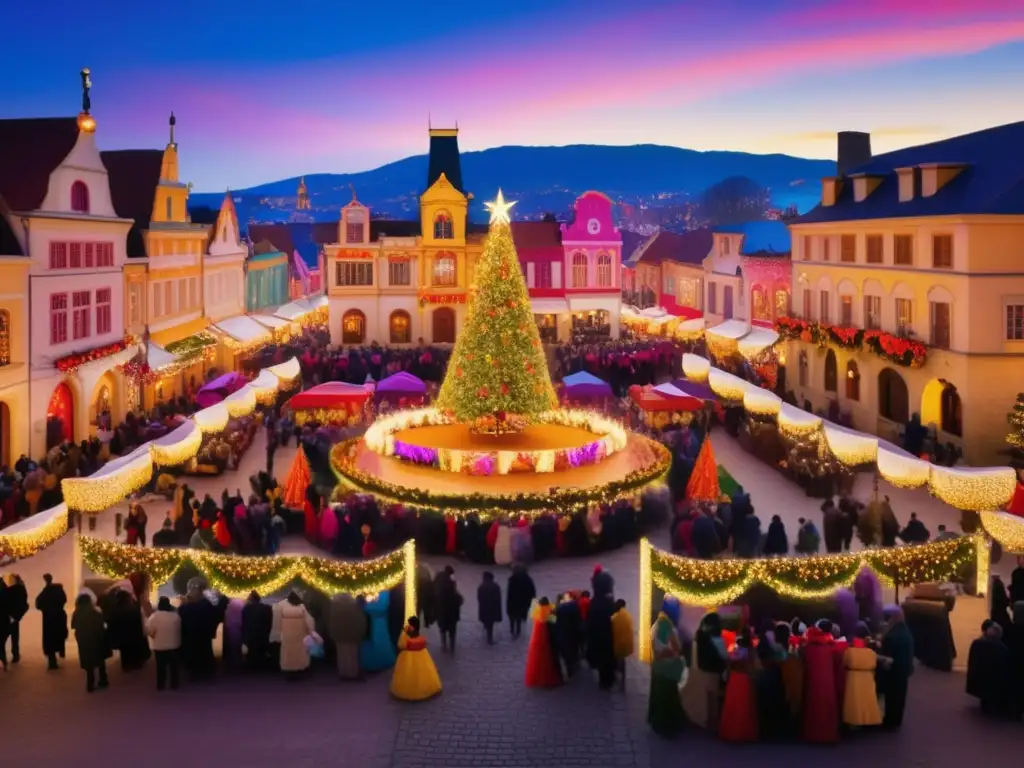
(993,183)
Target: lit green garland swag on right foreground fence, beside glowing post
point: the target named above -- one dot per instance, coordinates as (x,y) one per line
(818,577)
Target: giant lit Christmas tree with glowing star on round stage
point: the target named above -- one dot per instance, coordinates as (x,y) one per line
(498,366)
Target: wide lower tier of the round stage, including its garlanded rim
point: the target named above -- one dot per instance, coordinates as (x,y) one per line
(624,475)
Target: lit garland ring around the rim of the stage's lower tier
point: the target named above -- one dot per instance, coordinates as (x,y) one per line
(492,506)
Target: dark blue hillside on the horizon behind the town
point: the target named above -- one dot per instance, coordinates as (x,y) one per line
(654,185)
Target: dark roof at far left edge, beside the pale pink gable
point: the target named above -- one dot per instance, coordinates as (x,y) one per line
(30,150)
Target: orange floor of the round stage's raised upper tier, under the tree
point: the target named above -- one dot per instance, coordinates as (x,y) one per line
(460,438)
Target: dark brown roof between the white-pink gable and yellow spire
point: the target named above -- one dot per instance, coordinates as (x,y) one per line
(135,176)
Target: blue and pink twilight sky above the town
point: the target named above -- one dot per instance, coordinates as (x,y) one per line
(266,90)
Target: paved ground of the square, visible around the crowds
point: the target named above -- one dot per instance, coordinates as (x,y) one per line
(486,717)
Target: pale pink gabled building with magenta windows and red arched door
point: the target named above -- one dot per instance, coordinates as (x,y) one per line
(59,207)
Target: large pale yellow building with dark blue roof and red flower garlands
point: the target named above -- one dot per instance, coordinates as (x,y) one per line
(920,251)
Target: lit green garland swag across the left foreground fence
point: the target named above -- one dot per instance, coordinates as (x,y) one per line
(237,576)
